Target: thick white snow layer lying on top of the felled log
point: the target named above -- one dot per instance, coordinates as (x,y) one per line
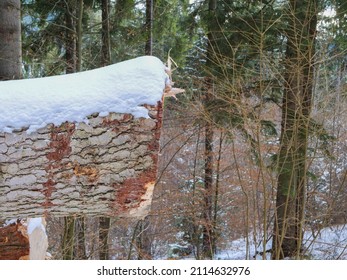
(121,88)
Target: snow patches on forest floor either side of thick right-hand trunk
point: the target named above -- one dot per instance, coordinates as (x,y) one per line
(328,244)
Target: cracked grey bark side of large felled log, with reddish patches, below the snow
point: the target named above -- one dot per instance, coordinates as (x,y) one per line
(104,167)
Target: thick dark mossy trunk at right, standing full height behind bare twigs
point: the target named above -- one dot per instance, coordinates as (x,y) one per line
(296,109)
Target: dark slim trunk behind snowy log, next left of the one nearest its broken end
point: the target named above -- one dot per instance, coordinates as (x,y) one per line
(106,41)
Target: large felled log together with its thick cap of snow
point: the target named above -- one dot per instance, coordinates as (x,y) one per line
(81,143)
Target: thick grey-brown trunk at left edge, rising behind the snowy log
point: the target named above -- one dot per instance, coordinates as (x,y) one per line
(10,40)
